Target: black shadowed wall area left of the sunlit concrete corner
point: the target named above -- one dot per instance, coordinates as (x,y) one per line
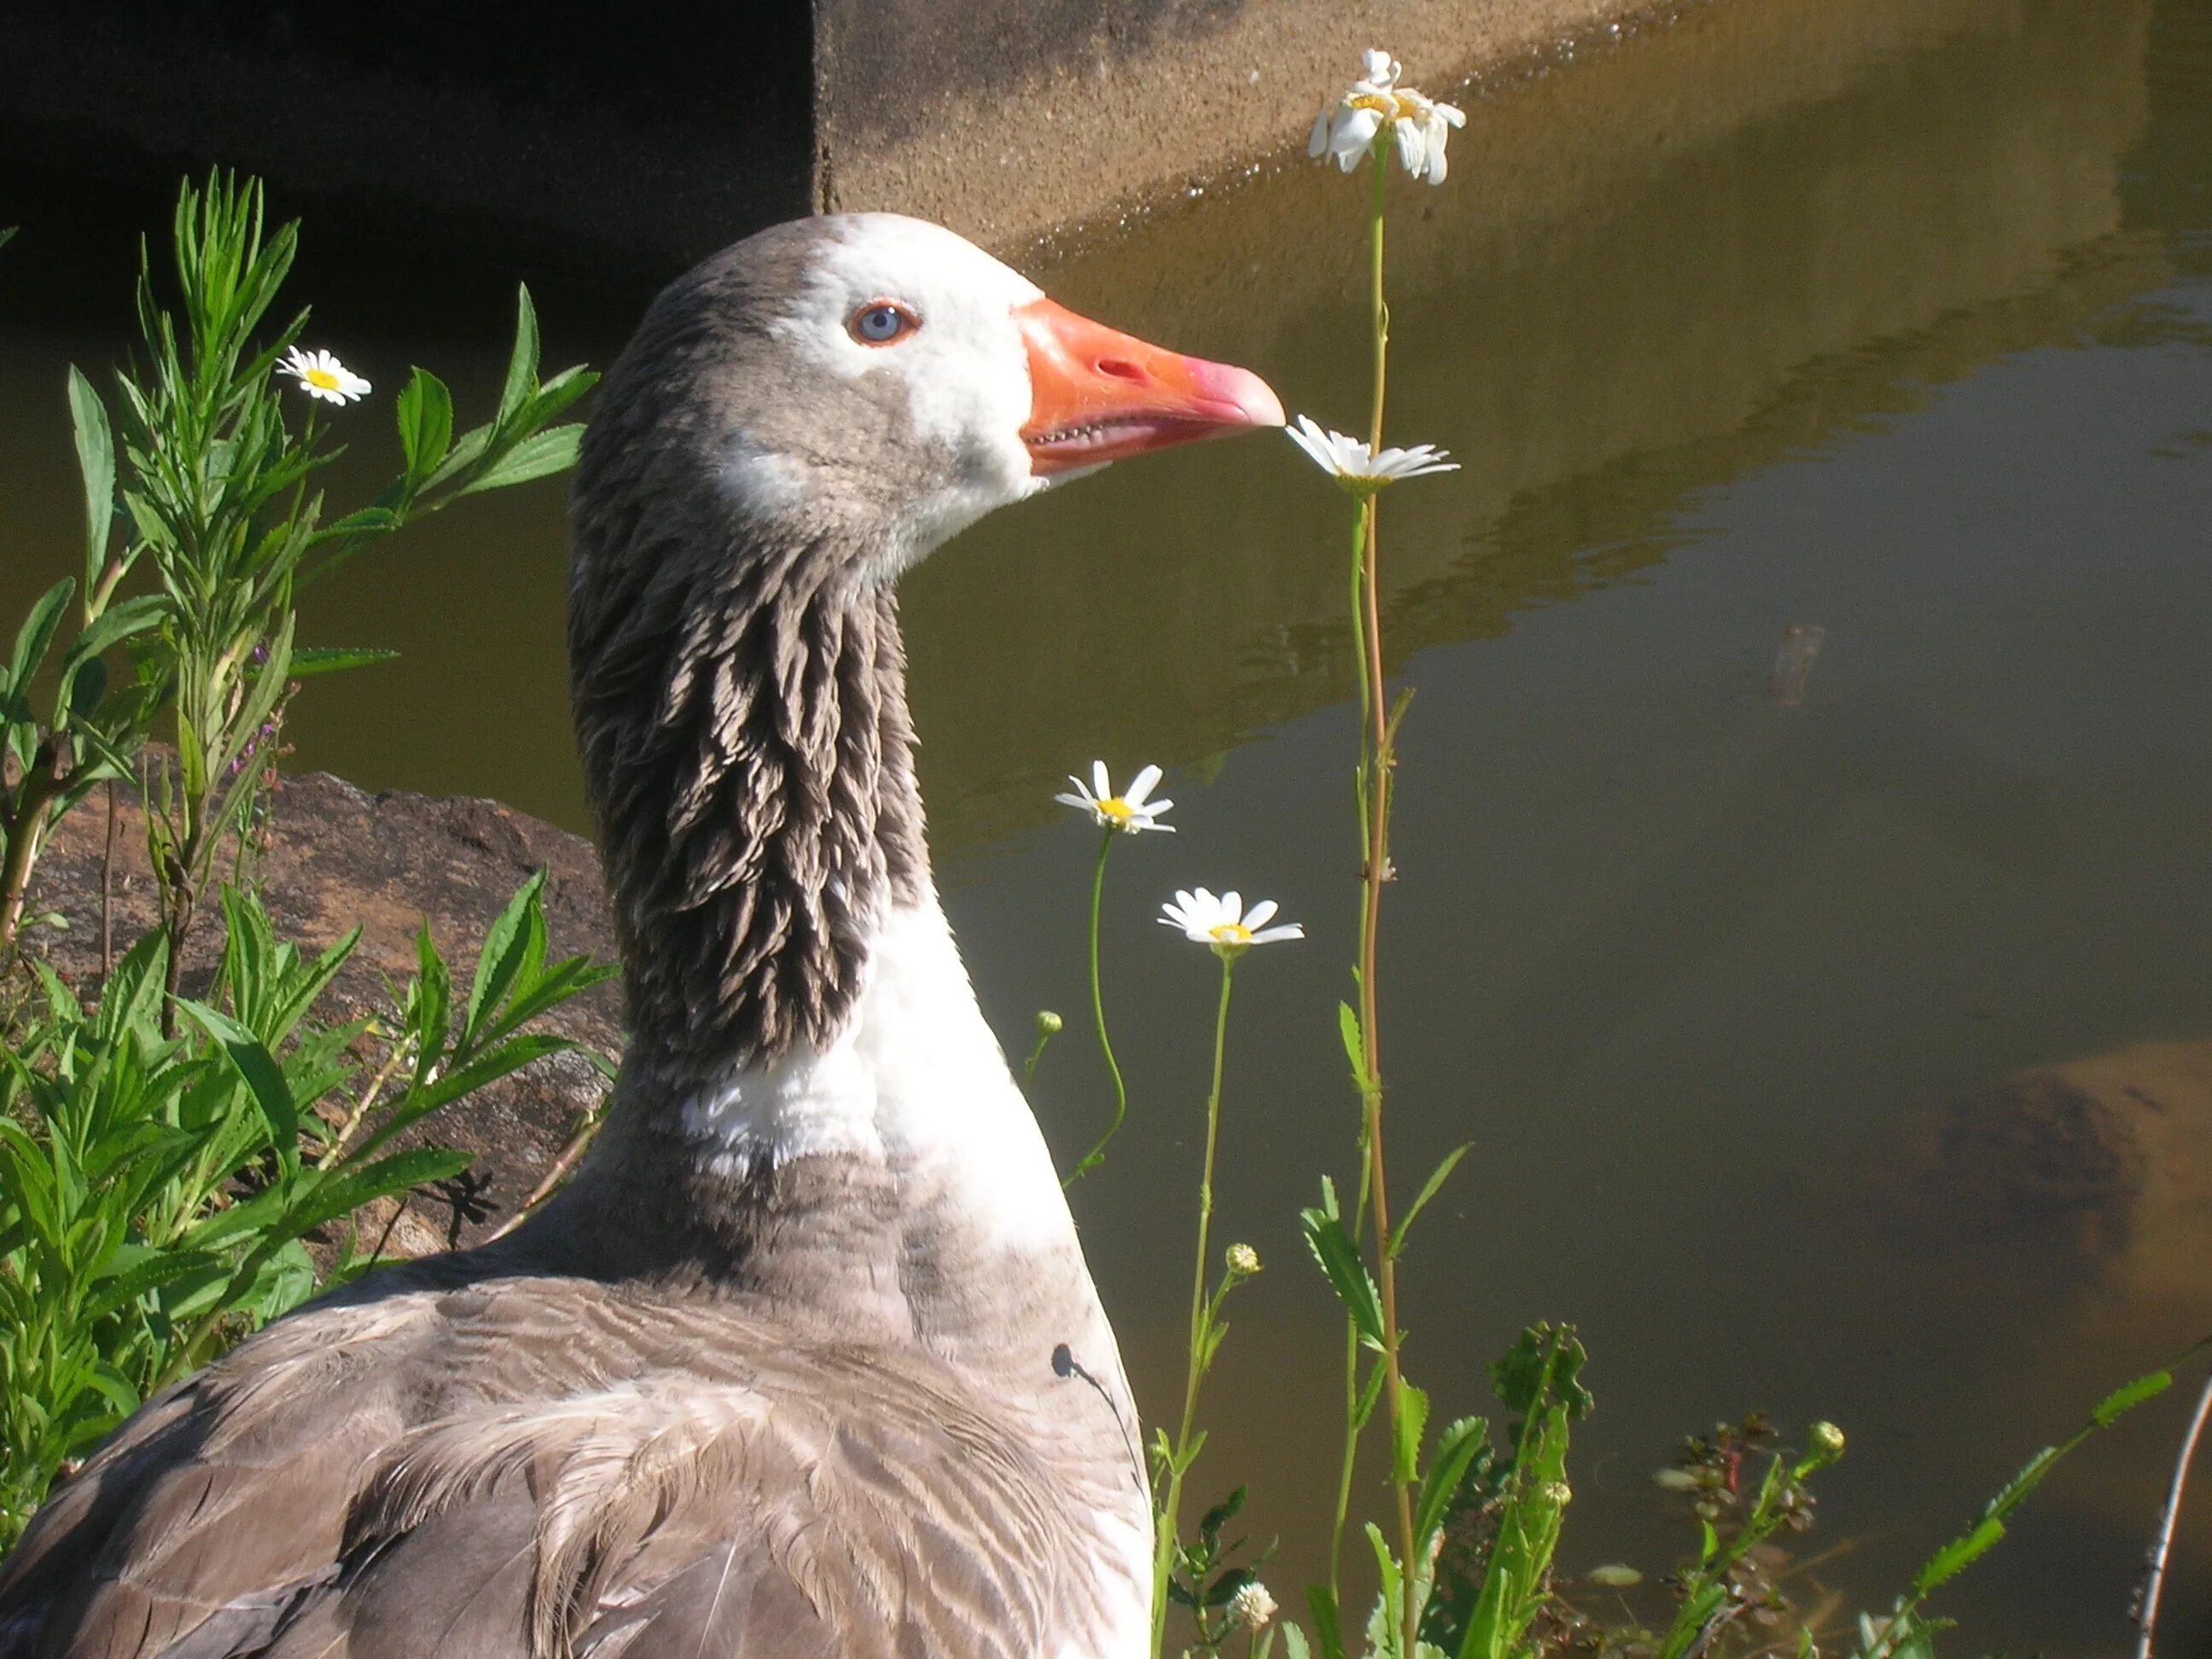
(629,138)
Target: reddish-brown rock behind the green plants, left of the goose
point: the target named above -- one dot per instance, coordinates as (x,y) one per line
(342,859)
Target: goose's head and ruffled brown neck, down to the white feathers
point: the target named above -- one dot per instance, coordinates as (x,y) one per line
(800,421)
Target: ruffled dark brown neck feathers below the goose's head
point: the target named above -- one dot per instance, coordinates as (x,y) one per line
(744,727)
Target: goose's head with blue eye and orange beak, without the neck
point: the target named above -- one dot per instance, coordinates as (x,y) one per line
(881,384)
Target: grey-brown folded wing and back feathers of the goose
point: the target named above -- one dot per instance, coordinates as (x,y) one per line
(671,1485)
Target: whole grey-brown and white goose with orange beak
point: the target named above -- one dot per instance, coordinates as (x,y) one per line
(806,1359)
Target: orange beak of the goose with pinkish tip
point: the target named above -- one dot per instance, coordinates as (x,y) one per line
(1096,395)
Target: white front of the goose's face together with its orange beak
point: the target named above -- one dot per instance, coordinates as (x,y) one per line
(1003,390)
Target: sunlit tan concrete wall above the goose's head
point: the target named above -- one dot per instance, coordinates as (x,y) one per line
(1008,118)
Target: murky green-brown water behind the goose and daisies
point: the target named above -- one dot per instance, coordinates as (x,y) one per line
(1886,317)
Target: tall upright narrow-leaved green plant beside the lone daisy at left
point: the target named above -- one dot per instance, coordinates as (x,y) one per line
(207,481)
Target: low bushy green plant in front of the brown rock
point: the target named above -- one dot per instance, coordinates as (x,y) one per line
(156,1191)
